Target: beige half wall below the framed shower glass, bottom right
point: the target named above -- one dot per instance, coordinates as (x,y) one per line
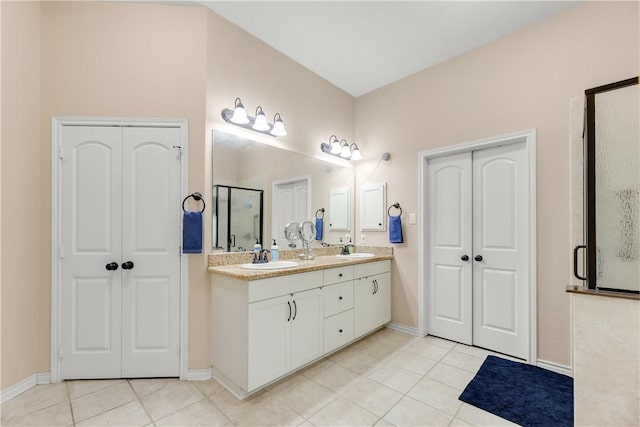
(606,361)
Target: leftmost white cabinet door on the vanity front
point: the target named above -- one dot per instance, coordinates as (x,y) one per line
(269,340)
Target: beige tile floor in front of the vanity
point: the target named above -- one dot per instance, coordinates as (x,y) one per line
(386,379)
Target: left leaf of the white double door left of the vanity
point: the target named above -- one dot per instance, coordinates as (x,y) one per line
(90,233)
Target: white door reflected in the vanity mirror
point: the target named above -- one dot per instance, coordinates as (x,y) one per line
(291,202)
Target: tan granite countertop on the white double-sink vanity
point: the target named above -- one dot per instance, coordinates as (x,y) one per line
(319,263)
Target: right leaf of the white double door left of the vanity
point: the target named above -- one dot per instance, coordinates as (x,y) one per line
(151,240)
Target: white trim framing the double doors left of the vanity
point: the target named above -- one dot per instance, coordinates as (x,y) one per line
(56,138)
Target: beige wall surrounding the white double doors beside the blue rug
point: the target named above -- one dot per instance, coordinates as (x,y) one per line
(518,82)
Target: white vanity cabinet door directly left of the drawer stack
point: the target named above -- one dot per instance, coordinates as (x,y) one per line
(306,327)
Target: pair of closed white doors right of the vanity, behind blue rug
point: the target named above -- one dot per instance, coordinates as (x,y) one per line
(478,248)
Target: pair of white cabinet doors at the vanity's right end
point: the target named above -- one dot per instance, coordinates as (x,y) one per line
(372,303)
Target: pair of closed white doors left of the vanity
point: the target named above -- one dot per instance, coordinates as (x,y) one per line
(120,252)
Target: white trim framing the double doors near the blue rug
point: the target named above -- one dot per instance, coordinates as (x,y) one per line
(528,136)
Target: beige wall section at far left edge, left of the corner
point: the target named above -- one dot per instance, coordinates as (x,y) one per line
(21,200)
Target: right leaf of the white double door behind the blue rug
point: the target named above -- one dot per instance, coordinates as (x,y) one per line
(500,228)
